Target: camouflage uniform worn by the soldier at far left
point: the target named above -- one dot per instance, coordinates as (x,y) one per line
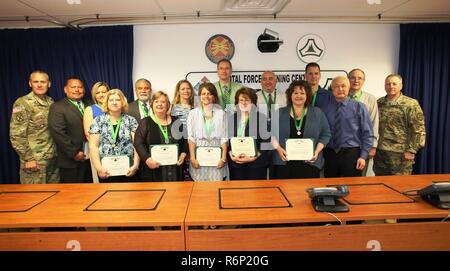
(31,139)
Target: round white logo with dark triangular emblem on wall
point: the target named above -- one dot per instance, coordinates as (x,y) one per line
(310,48)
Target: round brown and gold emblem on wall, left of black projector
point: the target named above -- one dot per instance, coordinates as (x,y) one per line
(219,47)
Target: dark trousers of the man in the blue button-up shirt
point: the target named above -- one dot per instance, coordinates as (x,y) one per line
(341,164)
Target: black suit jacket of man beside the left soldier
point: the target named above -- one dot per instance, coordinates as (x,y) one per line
(65,123)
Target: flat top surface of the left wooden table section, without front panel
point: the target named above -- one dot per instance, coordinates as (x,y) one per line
(113,204)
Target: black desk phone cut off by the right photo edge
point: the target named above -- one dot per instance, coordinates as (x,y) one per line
(438,194)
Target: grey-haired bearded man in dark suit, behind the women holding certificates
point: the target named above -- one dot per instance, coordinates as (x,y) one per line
(141,108)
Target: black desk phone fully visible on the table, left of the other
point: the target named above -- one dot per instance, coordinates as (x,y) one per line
(326,199)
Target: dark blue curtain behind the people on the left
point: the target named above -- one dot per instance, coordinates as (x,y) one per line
(93,54)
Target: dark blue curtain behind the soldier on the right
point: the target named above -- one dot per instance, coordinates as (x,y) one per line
(424,64)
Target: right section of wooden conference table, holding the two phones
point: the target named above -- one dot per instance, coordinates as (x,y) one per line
(278,215)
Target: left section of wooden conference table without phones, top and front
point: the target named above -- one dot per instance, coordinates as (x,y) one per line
(119,216)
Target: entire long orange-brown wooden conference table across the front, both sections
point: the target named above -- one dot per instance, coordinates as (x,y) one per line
(230,215)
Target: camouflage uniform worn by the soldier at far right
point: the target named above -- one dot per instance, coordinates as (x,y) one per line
(402,129)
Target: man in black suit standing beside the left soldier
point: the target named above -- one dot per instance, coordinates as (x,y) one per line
(65,123)
